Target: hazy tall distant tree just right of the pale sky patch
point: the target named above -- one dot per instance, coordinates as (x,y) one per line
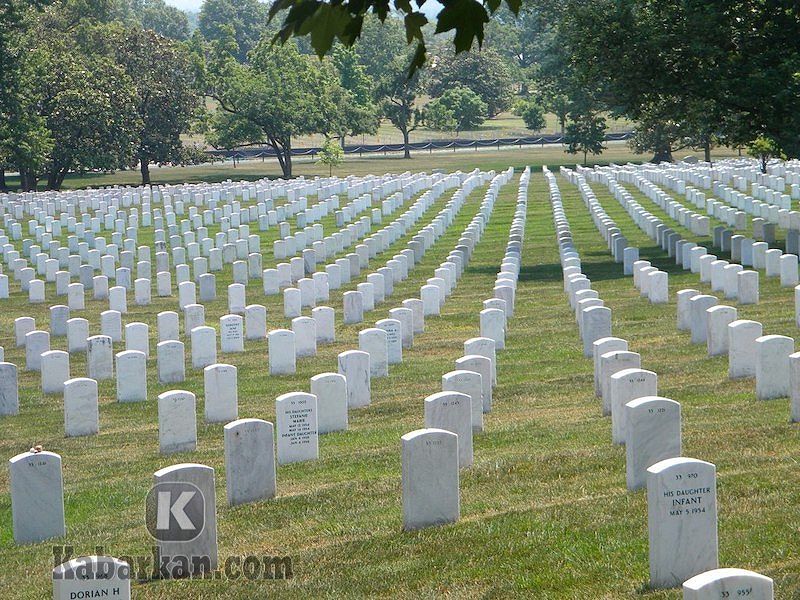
(246,18)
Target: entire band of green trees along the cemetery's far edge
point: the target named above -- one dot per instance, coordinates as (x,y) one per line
(92,85)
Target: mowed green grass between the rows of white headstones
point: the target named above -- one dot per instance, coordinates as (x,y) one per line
(545,511)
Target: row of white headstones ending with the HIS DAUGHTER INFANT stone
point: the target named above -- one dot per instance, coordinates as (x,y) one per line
(681,491)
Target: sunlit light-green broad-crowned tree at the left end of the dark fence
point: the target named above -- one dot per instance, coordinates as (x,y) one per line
(279,95)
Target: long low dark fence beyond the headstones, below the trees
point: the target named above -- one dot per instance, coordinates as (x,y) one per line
(538,140)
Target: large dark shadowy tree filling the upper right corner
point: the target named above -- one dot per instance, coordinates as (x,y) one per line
(711,70)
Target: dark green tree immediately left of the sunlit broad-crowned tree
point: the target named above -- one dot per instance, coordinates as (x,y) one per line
(165,99)
